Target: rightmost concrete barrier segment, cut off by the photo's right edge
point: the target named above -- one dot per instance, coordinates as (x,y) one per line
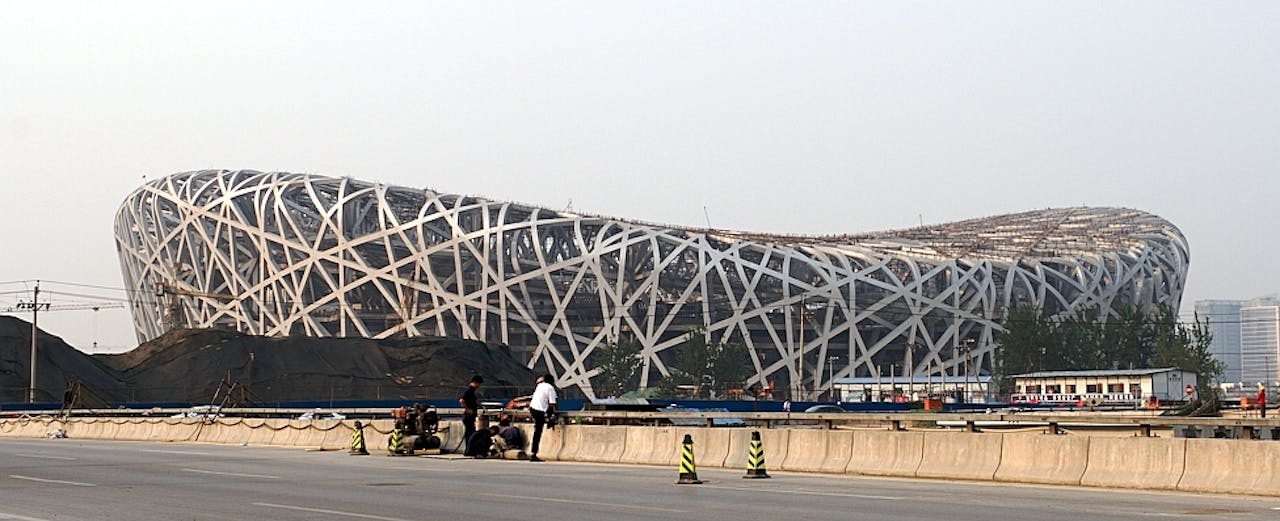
(1232,467)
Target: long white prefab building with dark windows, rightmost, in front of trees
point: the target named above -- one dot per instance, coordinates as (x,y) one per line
(1105,386)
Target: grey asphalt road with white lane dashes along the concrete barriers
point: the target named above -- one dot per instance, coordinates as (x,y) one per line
(124,481)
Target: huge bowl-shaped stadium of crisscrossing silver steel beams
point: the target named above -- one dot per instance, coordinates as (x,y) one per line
(284,254)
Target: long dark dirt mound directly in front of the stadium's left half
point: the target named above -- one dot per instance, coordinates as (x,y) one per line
(190,365)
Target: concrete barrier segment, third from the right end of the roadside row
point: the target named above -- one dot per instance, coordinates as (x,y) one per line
(1055,460)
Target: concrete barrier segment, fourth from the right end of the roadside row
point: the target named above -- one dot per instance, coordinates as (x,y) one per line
(973,456)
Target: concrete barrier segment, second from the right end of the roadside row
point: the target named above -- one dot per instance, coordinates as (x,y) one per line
(1136,463)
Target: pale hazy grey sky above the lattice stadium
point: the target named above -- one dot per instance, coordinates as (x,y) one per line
(801,117)
